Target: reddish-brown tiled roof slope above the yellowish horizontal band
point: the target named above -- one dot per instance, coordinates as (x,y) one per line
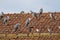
(43,23)
